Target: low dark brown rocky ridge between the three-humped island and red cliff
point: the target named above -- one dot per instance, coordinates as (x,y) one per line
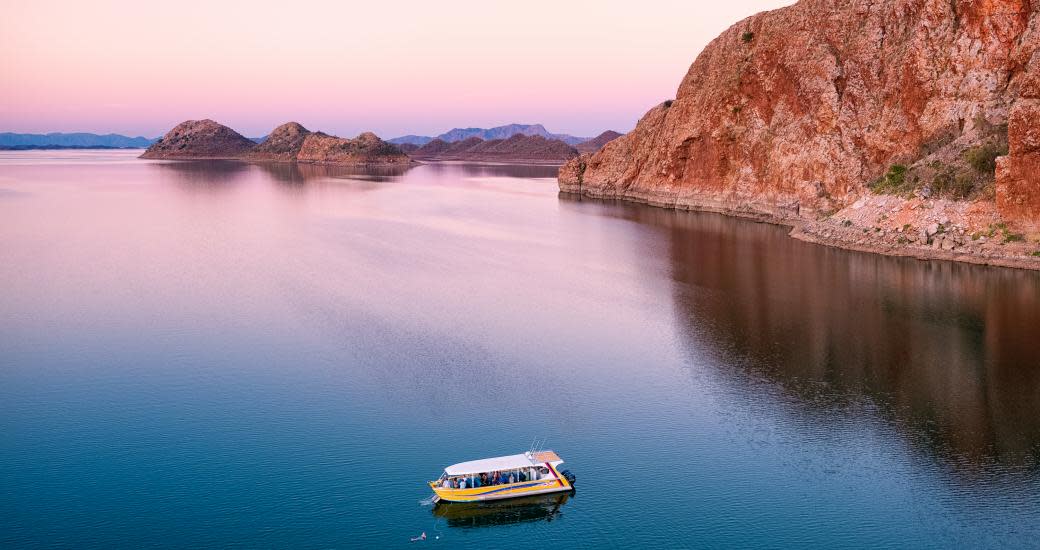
(519,148)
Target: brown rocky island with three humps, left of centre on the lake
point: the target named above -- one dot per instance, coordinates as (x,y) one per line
(290,143)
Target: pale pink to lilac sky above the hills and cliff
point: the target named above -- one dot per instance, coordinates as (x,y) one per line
(395,67)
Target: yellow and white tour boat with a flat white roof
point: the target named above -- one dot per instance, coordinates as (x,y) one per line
(516,476)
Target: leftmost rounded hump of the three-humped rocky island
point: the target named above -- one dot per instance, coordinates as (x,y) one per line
(199,140)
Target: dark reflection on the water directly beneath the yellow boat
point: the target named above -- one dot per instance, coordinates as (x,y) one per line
(527,510)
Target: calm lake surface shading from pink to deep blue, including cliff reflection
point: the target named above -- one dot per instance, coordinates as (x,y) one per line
(227,355)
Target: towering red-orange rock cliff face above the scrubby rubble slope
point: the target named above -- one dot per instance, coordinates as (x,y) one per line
(791,114)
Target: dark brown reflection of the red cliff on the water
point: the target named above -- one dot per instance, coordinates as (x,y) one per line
(948,352)
